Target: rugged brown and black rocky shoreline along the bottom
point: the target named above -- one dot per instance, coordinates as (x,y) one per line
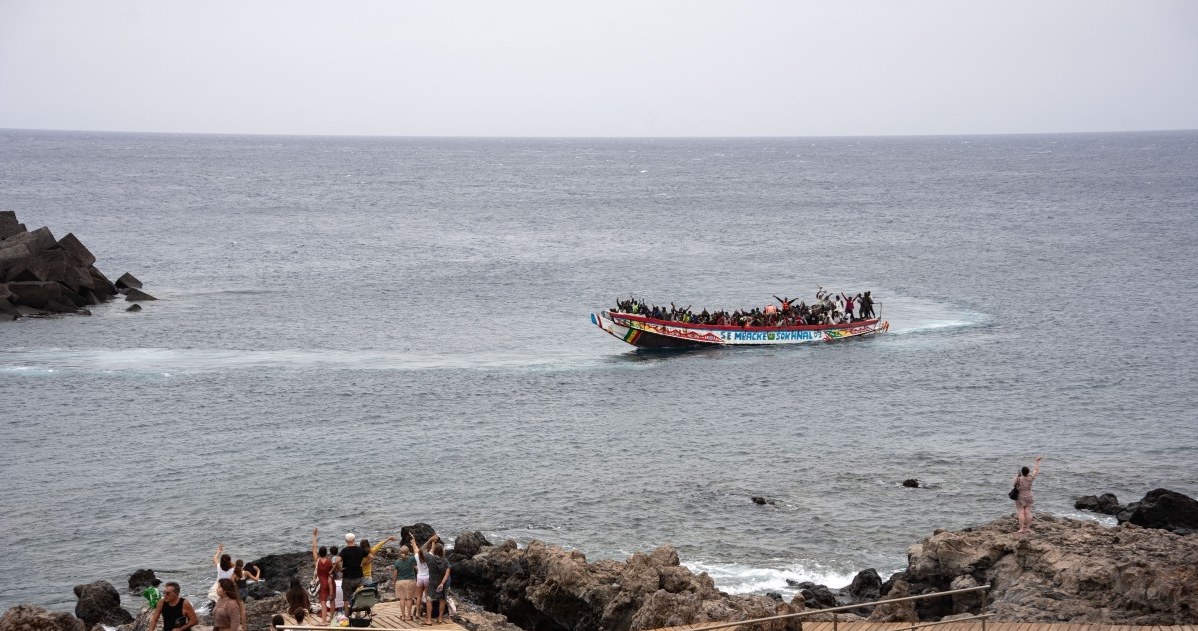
(1068,571)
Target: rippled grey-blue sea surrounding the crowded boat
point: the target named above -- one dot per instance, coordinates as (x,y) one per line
(361,333)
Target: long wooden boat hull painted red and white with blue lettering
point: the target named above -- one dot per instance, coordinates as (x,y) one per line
(651,333)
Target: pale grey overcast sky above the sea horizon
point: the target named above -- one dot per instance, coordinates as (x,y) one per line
(590,69)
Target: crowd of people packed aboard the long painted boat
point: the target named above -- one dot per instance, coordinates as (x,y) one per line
(827,310)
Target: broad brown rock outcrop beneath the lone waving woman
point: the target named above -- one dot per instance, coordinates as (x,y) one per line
(1067,569)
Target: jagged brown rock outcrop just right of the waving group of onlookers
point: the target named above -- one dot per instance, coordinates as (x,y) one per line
(546,587)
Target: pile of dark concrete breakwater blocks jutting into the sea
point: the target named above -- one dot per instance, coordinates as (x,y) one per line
(41,276)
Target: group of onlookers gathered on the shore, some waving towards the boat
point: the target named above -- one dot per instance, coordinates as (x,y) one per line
(421,574)
